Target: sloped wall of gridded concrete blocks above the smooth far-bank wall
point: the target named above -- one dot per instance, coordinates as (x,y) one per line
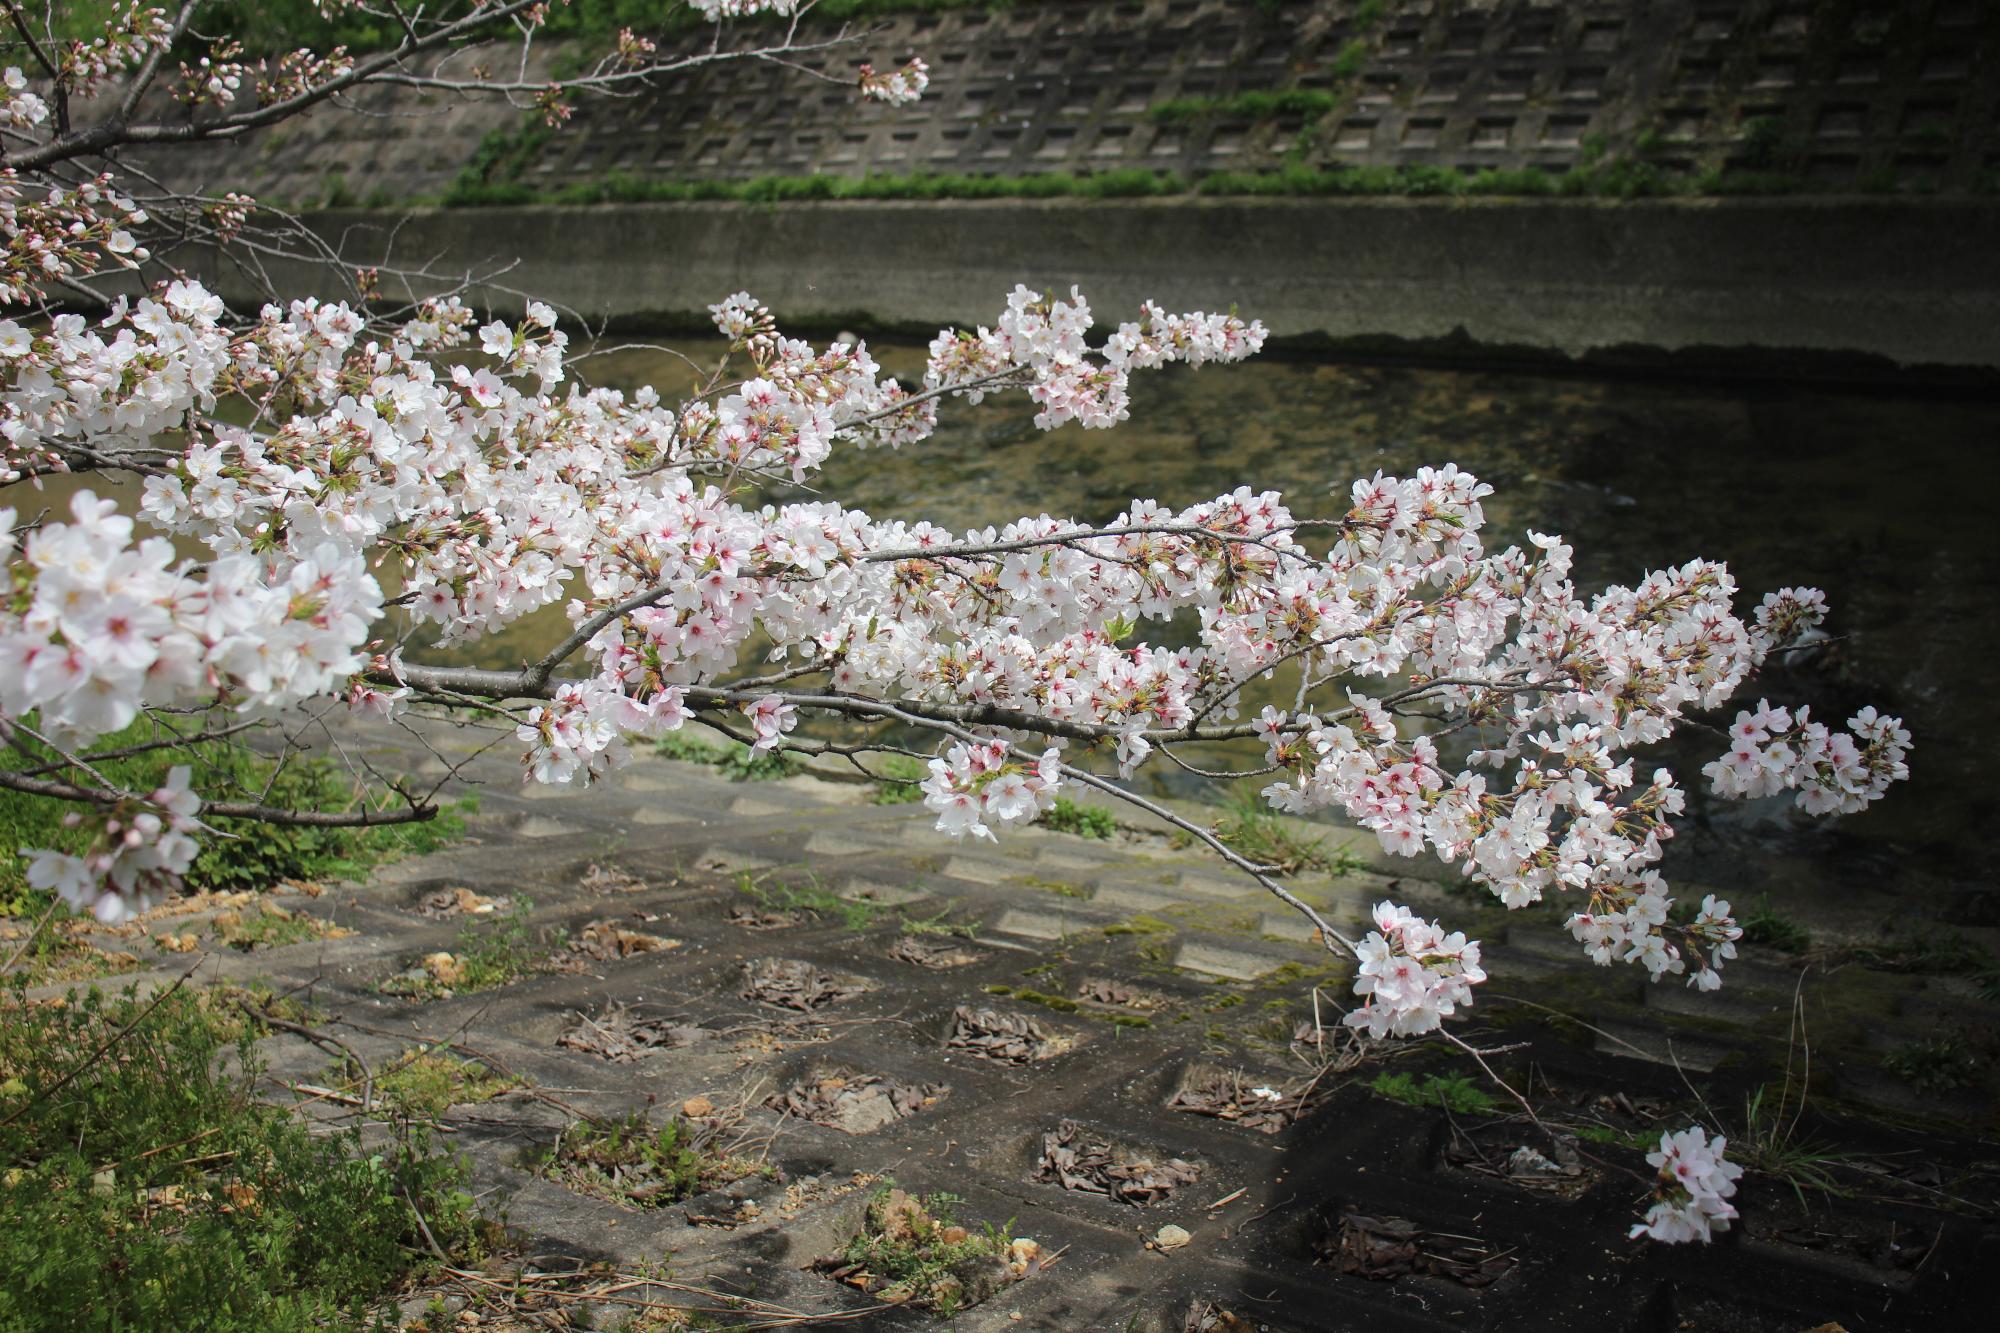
(1847,95)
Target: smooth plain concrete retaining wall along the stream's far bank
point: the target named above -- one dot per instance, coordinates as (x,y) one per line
(1843,283)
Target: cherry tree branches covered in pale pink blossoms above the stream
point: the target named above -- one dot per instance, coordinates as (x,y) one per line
(365,479)
